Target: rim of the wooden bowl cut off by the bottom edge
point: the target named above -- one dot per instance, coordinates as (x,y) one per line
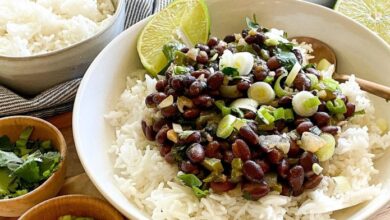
(86,199)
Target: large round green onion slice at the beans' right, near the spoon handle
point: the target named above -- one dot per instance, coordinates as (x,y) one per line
(301,107)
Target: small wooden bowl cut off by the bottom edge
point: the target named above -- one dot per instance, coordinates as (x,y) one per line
(76,205)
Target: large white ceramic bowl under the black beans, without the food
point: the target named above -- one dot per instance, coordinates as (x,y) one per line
(358,50)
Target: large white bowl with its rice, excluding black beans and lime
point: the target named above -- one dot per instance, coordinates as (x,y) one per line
(132,175)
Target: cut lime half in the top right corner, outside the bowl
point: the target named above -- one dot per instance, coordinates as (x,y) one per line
(374,14)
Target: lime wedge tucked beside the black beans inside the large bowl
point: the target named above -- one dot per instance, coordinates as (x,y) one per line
(184,20)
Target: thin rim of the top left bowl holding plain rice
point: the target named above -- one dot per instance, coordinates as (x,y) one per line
(114,18)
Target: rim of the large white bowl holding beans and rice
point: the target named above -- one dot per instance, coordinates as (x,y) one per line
(89,74)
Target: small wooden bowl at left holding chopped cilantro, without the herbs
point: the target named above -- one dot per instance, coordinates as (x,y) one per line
(12,127)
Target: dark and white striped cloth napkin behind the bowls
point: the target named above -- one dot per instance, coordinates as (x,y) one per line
(60,98)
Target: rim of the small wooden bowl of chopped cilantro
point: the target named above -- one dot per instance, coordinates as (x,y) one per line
(62,149)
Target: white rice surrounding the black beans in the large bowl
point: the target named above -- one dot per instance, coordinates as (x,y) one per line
(149,182)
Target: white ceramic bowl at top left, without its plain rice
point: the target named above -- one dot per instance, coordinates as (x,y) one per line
(33,74)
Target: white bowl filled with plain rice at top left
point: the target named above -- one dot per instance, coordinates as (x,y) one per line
(46,42)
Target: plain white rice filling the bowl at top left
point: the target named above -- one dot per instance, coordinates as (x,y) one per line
(30,27)
